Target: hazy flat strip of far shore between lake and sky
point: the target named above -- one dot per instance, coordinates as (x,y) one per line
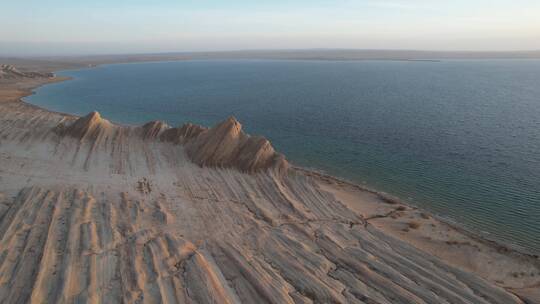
(55,63)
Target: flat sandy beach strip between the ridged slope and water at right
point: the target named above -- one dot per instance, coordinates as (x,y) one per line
(497,263)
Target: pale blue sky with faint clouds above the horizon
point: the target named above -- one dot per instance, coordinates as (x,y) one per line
(72,27)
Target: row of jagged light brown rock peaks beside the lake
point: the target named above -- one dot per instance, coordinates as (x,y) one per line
(224,145)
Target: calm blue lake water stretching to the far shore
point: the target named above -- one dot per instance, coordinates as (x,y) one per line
(458,138)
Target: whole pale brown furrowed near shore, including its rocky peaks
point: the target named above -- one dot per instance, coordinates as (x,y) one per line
(91,211)
